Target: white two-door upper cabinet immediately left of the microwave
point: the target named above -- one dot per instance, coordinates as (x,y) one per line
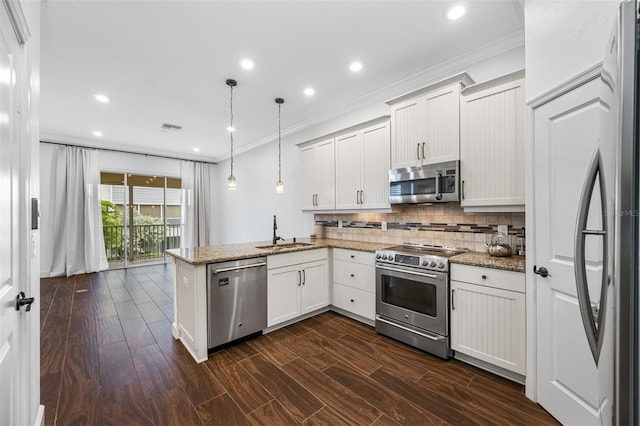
(362,168)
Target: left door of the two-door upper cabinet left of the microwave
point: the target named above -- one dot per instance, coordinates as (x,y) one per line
(348,170)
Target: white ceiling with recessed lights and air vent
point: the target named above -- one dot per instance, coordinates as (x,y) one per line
(167,62)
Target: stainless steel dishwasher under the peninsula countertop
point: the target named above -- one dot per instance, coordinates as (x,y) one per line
(237,299)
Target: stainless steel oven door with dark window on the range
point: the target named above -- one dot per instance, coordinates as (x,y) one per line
(417,298)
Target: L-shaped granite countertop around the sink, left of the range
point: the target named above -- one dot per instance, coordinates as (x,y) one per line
(226,252)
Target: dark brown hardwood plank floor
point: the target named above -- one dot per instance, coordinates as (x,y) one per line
(108,357)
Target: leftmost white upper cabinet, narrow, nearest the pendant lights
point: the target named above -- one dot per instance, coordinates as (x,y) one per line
(317,174)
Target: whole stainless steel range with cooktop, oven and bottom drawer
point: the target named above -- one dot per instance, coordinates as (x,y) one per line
(412,296)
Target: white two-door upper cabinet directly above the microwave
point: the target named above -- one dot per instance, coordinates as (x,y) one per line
(425,125)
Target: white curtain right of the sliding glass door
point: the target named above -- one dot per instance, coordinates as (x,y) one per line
(196,204)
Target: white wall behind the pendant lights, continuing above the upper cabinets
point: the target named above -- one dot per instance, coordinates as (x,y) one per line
(246,214)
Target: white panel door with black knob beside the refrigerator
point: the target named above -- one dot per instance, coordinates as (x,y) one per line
(566,135)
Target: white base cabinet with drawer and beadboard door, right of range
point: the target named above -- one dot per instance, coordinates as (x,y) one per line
(488,315)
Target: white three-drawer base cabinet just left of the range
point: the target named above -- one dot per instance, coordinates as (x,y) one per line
(354,282)
